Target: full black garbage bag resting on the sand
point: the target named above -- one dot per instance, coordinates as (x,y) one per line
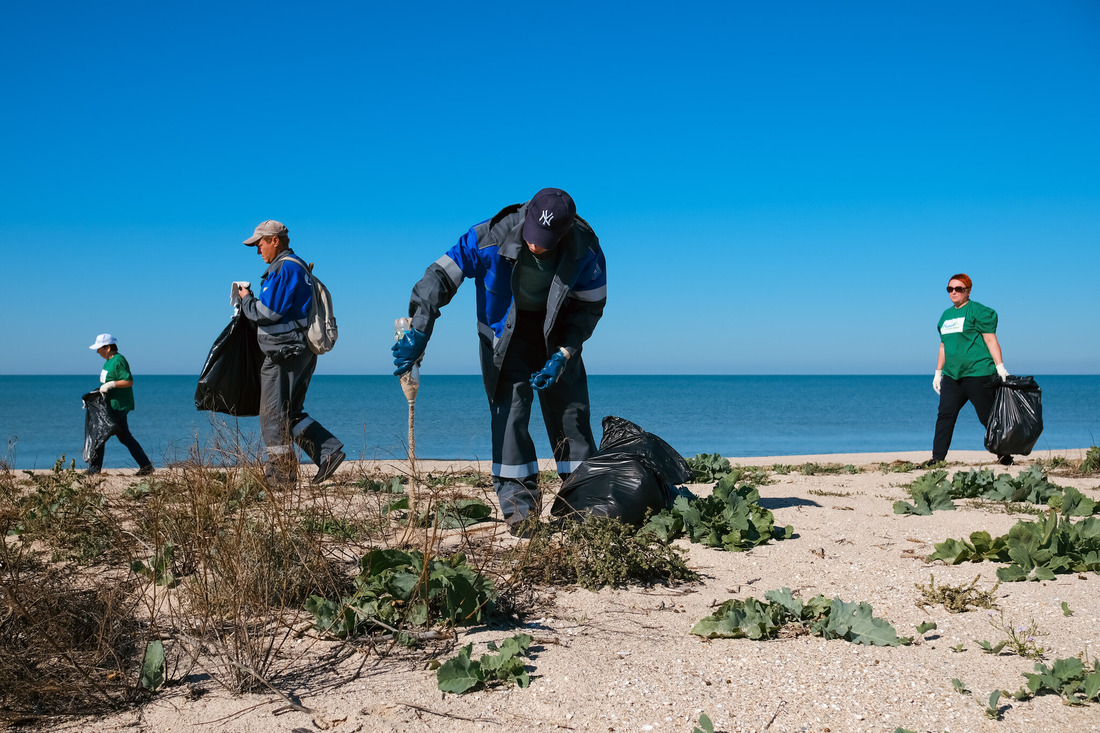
(634,473)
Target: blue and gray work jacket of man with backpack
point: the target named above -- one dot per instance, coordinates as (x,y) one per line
(281,313)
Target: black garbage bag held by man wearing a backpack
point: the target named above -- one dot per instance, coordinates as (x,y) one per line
(230,379)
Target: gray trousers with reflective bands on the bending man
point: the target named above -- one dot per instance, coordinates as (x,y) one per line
(565,412)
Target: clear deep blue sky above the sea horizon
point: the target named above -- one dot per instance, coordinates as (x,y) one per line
(779,188)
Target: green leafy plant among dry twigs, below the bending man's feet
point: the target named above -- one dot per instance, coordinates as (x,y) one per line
(403,589)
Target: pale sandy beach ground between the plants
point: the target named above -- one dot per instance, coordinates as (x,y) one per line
(624,660)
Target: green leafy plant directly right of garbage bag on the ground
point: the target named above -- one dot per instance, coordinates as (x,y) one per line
(730,519)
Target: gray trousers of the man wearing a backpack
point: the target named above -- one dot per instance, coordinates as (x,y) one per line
(284,381)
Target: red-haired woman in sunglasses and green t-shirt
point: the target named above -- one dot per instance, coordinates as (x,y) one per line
(969,365)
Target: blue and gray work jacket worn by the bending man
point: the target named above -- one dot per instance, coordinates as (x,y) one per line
(488,254)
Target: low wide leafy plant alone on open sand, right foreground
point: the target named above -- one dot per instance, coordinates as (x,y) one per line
(821,617)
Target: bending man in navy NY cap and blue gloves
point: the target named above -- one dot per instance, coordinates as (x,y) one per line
(542,288)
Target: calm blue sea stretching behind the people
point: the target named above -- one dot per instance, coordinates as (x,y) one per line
(42,418)
